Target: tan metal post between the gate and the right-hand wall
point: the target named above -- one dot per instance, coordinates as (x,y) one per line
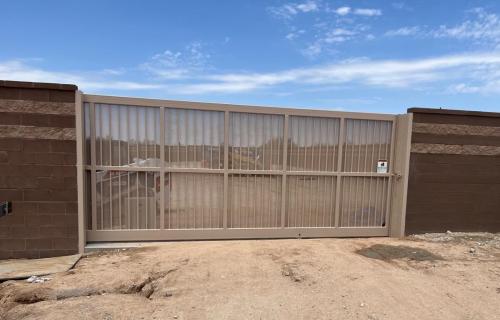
(400,180)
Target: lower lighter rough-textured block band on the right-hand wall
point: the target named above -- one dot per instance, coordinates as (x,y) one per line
(437,148)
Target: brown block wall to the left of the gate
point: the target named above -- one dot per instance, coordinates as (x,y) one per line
(38,170)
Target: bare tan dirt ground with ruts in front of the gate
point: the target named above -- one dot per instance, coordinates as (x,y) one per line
(435,276)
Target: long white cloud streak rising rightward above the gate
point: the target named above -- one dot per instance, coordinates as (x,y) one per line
(388,73)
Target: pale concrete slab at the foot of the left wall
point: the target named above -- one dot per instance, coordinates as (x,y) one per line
(25,268)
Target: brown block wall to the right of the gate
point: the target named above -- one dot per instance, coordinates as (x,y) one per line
(454,181)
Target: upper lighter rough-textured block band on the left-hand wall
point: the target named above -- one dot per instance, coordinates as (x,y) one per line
(38,107)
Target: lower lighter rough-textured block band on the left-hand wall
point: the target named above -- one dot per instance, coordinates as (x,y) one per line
(30,132)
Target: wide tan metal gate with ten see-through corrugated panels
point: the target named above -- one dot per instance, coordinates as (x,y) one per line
(171,170)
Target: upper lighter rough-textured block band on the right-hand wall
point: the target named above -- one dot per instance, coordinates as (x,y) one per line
(457,129)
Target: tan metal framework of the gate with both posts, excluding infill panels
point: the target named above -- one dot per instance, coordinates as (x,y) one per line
(397,177)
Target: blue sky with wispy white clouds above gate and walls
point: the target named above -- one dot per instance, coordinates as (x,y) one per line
(372,56)
